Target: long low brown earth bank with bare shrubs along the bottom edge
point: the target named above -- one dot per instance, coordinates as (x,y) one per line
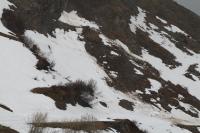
(87,123)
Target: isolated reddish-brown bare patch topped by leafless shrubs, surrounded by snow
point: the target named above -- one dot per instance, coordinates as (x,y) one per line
(71,93)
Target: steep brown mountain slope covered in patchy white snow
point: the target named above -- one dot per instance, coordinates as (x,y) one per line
(140,62)
